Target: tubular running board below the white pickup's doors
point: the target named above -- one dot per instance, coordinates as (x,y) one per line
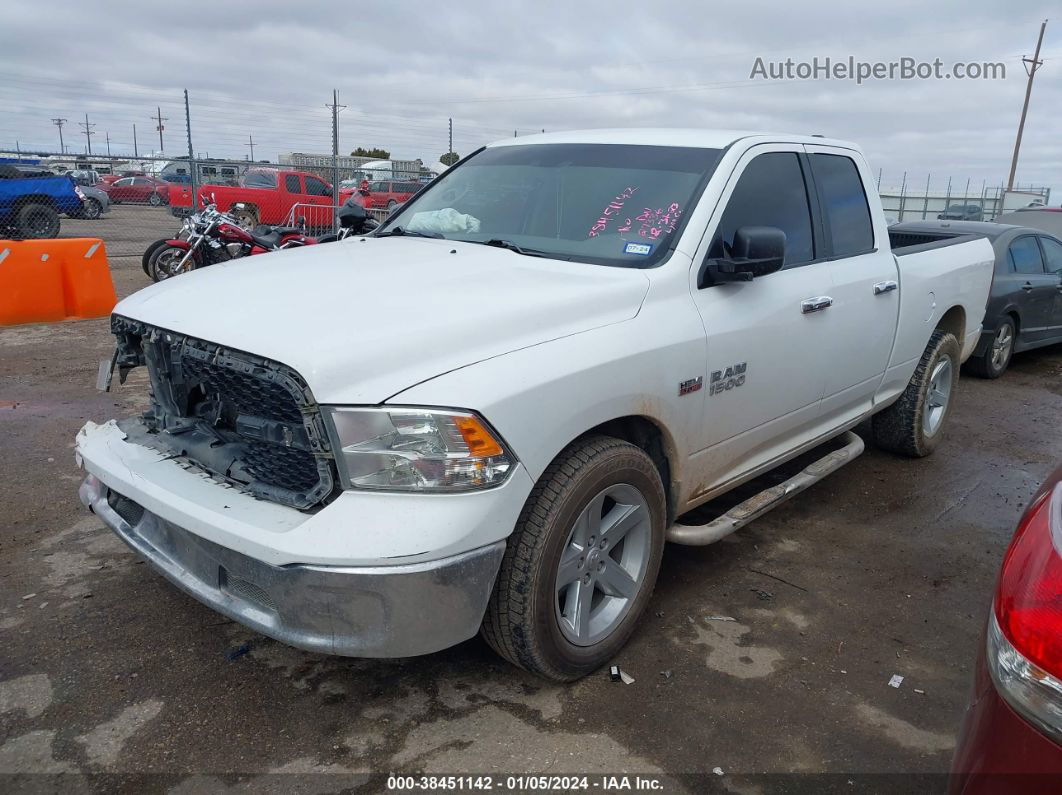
(756,507)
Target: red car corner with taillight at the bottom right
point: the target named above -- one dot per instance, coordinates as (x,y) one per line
(1012,737)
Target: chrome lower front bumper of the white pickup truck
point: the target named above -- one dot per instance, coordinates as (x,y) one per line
(357,612)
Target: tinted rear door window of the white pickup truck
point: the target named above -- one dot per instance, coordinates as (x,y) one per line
(845,204)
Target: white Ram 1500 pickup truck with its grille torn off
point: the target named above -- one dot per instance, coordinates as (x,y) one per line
(490,414)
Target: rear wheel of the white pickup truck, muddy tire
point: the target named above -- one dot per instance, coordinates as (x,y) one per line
(915,425)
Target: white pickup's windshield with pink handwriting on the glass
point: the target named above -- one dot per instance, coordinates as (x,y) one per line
(609,204)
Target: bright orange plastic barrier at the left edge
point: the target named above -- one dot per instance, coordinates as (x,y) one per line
(48,281)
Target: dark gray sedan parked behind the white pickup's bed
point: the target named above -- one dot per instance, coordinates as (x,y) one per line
(1025,305)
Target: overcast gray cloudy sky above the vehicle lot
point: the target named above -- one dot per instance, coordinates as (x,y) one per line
(267,70)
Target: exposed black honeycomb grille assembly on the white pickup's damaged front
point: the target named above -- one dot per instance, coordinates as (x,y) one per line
(244,419)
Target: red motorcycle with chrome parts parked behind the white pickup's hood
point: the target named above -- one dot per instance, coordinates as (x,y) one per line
(209,237)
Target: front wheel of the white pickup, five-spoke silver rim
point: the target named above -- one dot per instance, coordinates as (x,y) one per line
(530,620)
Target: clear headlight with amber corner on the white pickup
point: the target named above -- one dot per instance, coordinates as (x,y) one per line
(417,451)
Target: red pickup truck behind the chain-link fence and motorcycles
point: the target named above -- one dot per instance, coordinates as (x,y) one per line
(264,197)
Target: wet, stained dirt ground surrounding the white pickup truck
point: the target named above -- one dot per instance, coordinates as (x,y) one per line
(110,673)
